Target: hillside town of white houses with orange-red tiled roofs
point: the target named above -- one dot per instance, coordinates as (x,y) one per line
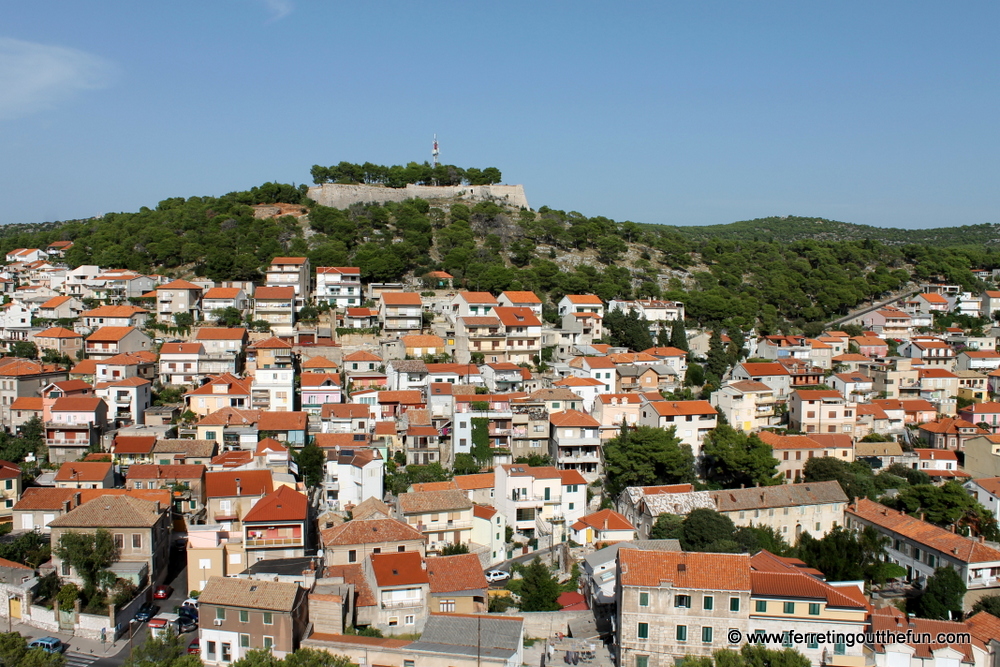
(402,473)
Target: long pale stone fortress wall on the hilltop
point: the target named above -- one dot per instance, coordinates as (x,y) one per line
(337,195)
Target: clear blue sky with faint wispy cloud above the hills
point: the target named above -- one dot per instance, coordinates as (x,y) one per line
(708,112)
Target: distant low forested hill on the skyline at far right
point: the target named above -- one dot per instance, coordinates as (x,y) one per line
(793,228)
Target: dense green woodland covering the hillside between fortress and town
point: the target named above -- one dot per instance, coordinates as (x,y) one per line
(776,285)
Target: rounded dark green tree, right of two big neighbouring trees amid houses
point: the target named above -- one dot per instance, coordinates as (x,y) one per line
(733,459)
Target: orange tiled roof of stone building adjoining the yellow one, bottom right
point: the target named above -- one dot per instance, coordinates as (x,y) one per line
(708,571)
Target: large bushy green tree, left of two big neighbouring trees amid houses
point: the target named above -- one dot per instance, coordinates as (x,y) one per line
(646,456)
